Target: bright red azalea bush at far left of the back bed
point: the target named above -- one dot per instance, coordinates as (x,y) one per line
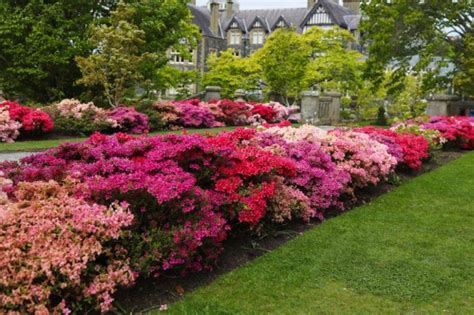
(33,121)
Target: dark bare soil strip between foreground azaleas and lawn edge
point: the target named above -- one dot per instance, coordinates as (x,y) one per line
(148,294)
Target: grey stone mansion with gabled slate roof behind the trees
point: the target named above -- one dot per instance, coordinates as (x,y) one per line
(224,26)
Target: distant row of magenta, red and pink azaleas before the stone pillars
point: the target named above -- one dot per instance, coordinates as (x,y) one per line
(194,113)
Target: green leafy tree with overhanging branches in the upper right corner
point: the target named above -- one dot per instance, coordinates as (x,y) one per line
(425,37)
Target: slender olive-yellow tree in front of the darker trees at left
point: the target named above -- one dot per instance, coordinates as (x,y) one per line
(116,61)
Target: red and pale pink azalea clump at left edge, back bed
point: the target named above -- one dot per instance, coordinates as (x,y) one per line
(16,119)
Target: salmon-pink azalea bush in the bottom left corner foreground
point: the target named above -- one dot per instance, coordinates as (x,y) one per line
(65,254)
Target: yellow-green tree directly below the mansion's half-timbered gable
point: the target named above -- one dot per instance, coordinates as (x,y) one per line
(333,65)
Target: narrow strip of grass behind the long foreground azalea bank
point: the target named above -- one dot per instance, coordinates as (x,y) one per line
(38,145)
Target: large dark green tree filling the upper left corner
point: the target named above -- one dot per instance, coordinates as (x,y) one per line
(38,43)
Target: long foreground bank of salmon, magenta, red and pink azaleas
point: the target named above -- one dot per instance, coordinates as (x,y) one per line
(81,220)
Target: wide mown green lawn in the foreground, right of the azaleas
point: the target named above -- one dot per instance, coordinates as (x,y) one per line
(409,251)
